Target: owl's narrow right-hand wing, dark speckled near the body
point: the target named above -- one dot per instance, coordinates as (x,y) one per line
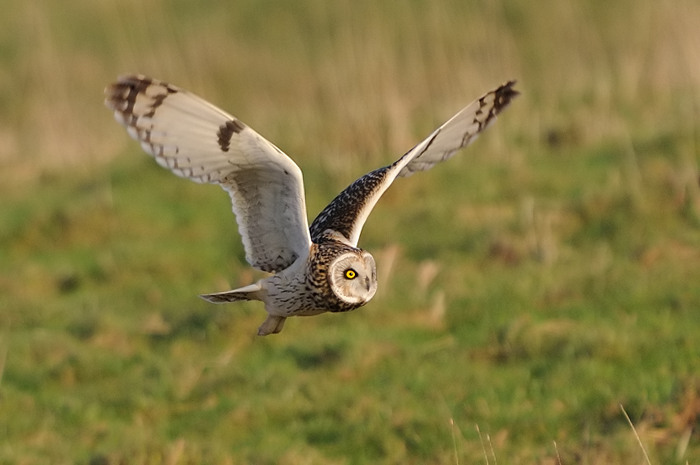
(345,216)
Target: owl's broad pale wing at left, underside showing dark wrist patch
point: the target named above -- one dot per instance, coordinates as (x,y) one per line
(196,140)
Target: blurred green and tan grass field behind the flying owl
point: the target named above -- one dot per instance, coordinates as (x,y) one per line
(530,289)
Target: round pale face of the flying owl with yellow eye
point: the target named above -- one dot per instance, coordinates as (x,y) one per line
(352,277)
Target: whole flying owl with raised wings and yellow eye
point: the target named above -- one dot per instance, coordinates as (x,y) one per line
(312,269)
